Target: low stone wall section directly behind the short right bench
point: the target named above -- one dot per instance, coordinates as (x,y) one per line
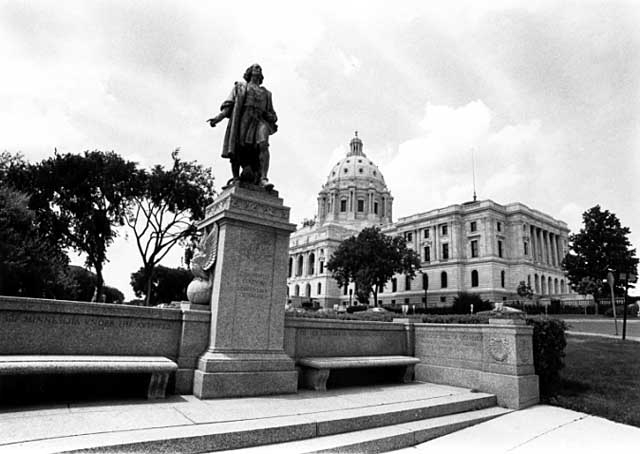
(304,337)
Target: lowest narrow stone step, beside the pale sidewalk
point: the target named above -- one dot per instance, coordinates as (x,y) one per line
(381,439)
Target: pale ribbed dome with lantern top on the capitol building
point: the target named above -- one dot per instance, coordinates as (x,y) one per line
(355,193)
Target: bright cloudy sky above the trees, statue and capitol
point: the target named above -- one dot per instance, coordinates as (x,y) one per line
(544,94)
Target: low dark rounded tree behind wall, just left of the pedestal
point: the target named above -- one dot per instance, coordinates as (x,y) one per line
(167,284)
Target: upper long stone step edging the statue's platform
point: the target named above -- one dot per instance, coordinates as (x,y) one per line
(264,431)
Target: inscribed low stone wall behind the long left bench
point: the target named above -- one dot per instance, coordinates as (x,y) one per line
(30,326)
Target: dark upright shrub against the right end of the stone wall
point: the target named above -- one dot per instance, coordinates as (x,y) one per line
(549,342)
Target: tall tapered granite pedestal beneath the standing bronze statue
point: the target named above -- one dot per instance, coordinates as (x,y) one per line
(246,355)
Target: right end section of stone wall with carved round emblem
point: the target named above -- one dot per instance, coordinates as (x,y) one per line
(495,358)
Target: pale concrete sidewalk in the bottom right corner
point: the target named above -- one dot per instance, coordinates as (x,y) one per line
(539,429)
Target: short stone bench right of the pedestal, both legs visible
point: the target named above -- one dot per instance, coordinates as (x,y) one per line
(315,371)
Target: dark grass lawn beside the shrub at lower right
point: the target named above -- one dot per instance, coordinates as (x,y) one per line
(601,377)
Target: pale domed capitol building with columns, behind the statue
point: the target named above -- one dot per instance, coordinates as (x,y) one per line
(477,247)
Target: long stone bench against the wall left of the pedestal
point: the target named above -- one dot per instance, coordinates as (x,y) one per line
(158,366)
